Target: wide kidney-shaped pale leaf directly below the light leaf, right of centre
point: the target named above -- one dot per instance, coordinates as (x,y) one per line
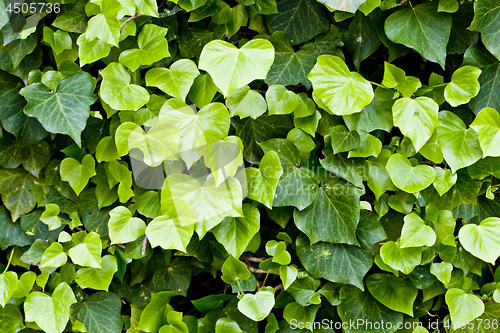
(407,177)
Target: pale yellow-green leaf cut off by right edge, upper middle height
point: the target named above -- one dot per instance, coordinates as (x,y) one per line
(487,126)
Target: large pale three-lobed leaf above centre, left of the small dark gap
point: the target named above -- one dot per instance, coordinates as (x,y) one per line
(191,125)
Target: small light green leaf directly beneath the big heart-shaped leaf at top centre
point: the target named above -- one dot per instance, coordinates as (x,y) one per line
(244,102)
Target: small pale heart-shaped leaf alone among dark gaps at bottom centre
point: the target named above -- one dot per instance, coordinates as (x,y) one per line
(258,306)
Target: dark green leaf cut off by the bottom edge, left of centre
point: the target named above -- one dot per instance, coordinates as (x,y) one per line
(100,313)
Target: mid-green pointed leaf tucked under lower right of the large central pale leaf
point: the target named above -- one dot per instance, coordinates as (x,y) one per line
(235,233)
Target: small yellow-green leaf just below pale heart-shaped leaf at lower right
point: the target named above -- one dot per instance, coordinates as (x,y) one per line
(404,260)
